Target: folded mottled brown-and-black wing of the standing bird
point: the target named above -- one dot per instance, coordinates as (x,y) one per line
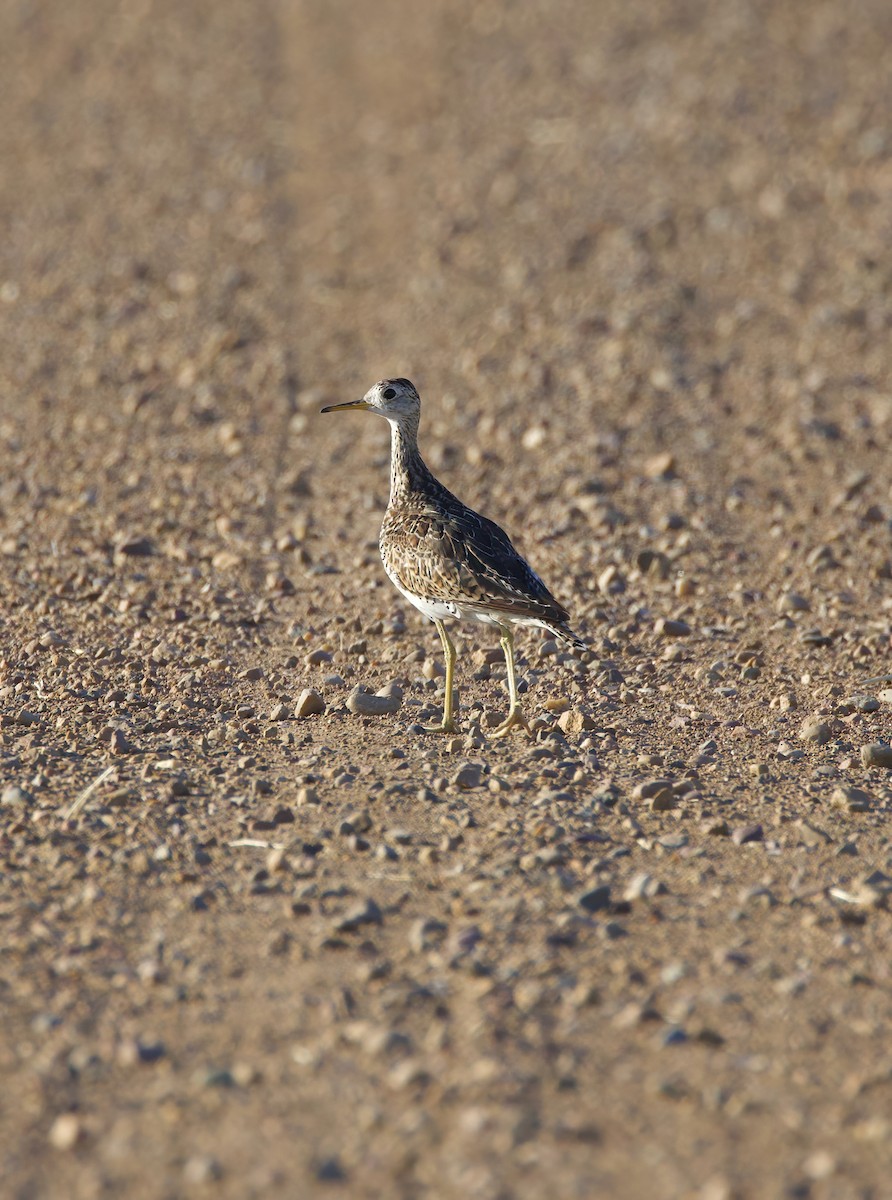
(446,551)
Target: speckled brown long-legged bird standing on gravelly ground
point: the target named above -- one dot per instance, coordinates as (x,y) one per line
(448,561)
